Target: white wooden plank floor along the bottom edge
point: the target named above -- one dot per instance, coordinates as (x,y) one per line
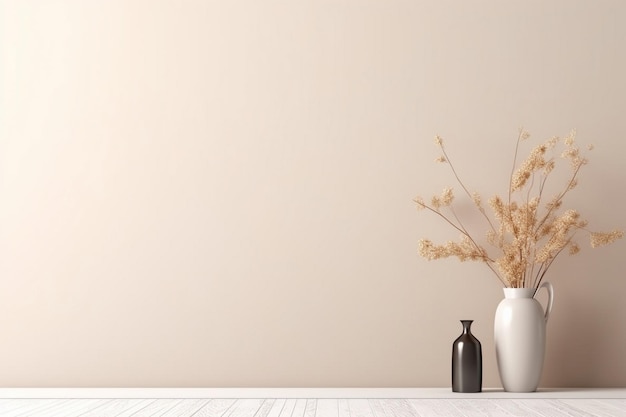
(300,407)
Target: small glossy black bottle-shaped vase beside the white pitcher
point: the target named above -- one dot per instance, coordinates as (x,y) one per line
(467,361)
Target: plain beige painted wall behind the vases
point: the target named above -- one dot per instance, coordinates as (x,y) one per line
(219,193)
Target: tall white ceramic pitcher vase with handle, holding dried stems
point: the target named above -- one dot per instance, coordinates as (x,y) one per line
(520,338)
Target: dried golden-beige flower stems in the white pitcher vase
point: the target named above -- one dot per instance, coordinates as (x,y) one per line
(527,233)
